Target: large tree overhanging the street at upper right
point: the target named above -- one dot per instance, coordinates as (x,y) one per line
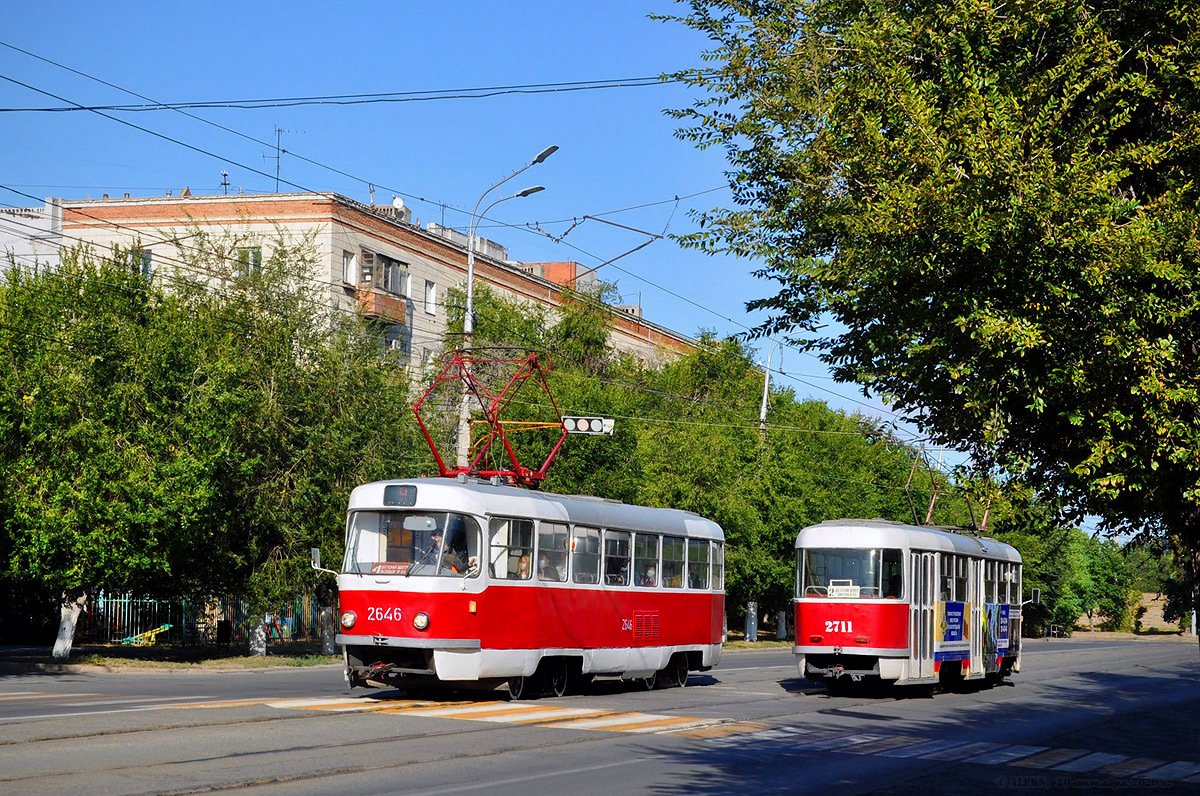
(986,213)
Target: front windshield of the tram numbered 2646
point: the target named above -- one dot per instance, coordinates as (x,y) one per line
(412,543)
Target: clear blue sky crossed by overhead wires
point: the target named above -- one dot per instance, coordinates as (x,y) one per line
(616,146)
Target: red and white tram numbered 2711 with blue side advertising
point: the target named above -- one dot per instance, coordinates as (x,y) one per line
(905,605)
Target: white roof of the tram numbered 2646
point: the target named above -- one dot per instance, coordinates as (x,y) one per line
(475,496)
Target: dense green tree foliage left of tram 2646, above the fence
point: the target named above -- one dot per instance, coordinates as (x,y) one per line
(191,435)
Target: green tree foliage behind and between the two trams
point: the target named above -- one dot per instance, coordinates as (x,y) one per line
(687,436)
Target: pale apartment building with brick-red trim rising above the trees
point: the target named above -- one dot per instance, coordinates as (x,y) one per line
(374,260)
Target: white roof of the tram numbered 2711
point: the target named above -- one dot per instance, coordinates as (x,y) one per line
(885,534)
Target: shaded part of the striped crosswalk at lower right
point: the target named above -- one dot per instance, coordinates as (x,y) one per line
(770,741)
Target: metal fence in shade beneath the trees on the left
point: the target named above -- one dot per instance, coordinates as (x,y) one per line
(134,620)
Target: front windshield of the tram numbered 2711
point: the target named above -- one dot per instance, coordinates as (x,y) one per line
(850,574)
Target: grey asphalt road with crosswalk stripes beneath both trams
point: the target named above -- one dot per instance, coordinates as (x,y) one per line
(1087,717)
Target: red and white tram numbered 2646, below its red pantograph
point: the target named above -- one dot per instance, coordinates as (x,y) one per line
(463,580)
